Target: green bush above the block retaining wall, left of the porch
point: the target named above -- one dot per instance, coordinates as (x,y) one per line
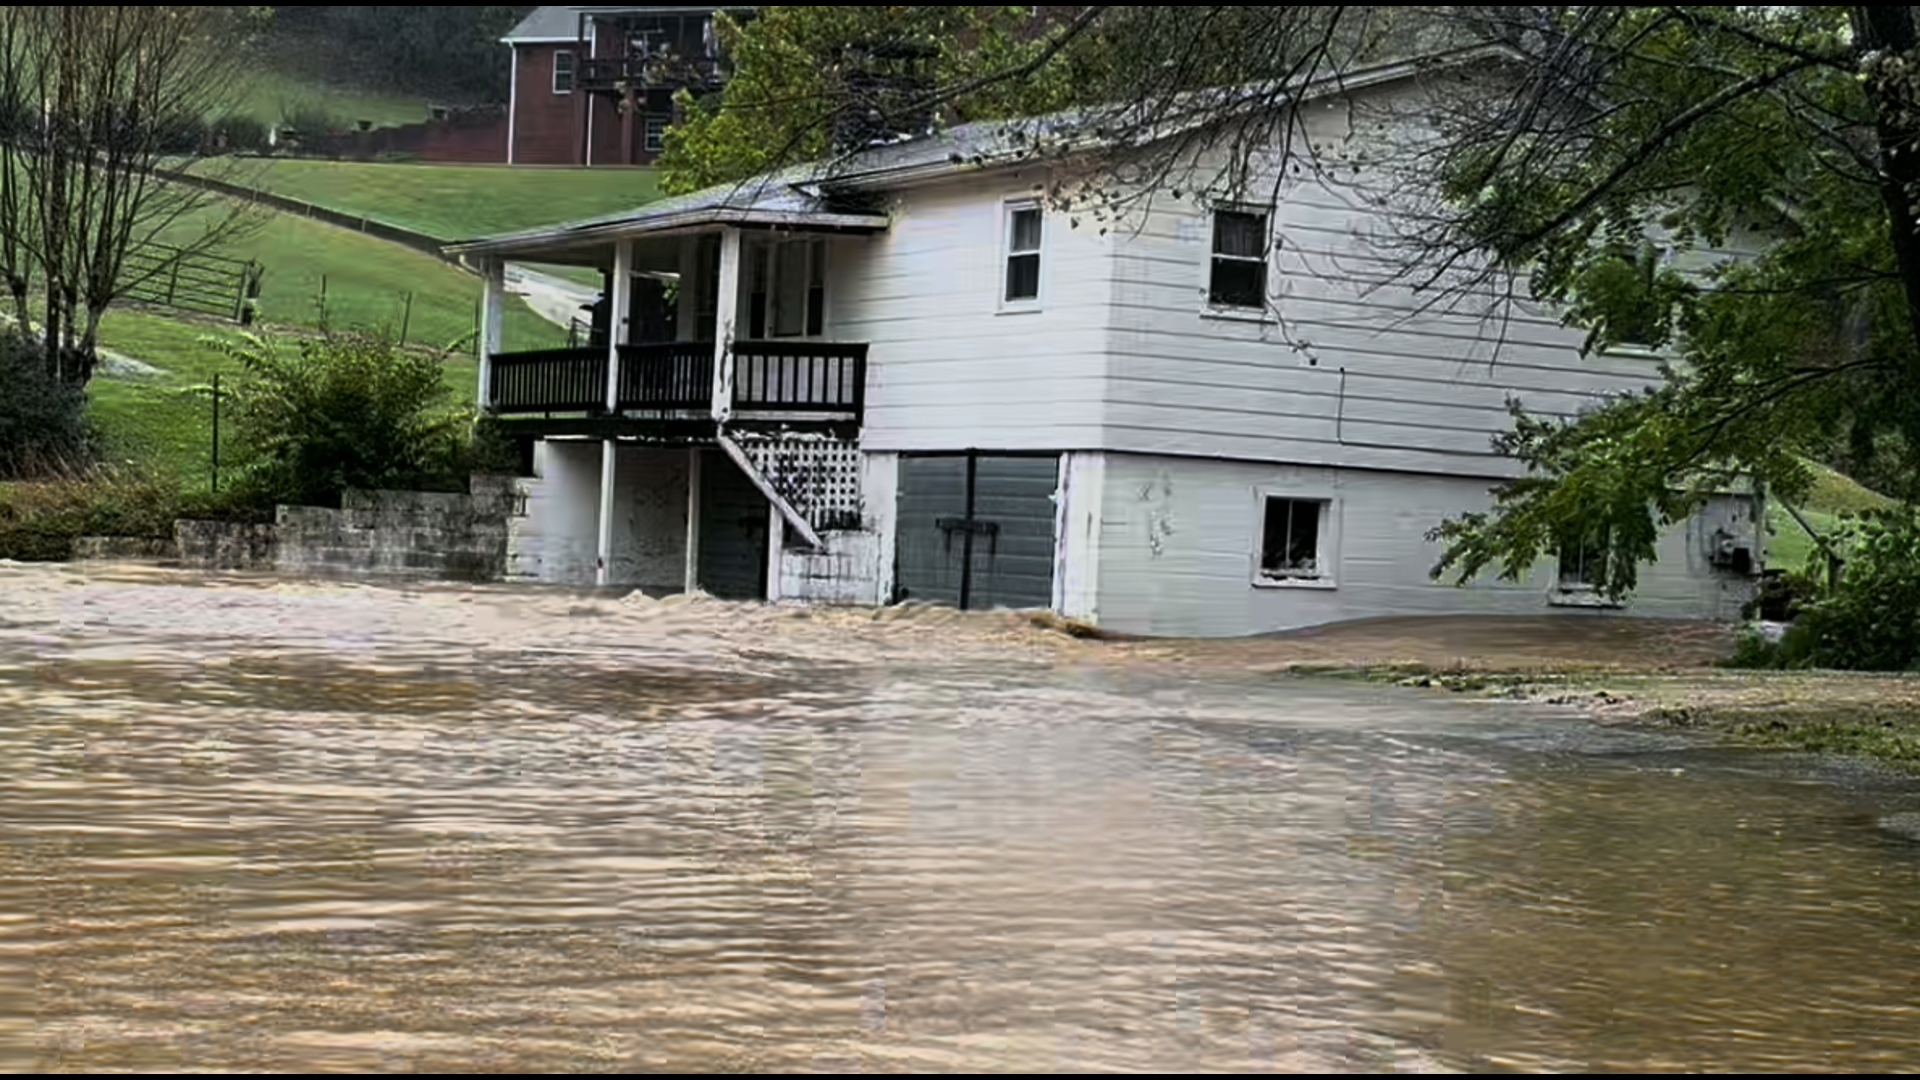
(347,412)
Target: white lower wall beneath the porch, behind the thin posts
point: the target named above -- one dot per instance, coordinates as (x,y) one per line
(558,541)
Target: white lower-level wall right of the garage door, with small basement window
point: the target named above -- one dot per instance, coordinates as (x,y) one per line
(1178,547)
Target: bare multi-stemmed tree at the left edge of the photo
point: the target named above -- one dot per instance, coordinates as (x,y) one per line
(99,107)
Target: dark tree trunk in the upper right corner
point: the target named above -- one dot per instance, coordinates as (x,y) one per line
(1892,34)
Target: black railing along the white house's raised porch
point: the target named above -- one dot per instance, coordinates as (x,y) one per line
(792,381)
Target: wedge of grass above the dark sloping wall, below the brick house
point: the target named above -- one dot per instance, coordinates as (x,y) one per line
(456,203)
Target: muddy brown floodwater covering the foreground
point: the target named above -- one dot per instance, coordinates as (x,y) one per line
(318,827)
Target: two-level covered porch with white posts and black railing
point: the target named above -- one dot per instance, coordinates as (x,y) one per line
(715,331)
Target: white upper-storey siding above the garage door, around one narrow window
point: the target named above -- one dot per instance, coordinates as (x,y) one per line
(948,368)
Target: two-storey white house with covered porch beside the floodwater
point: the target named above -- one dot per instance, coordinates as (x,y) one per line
(911,378)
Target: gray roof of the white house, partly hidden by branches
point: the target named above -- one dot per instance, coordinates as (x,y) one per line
(798,197)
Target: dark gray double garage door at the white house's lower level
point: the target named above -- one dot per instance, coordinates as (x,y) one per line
(976,531)
